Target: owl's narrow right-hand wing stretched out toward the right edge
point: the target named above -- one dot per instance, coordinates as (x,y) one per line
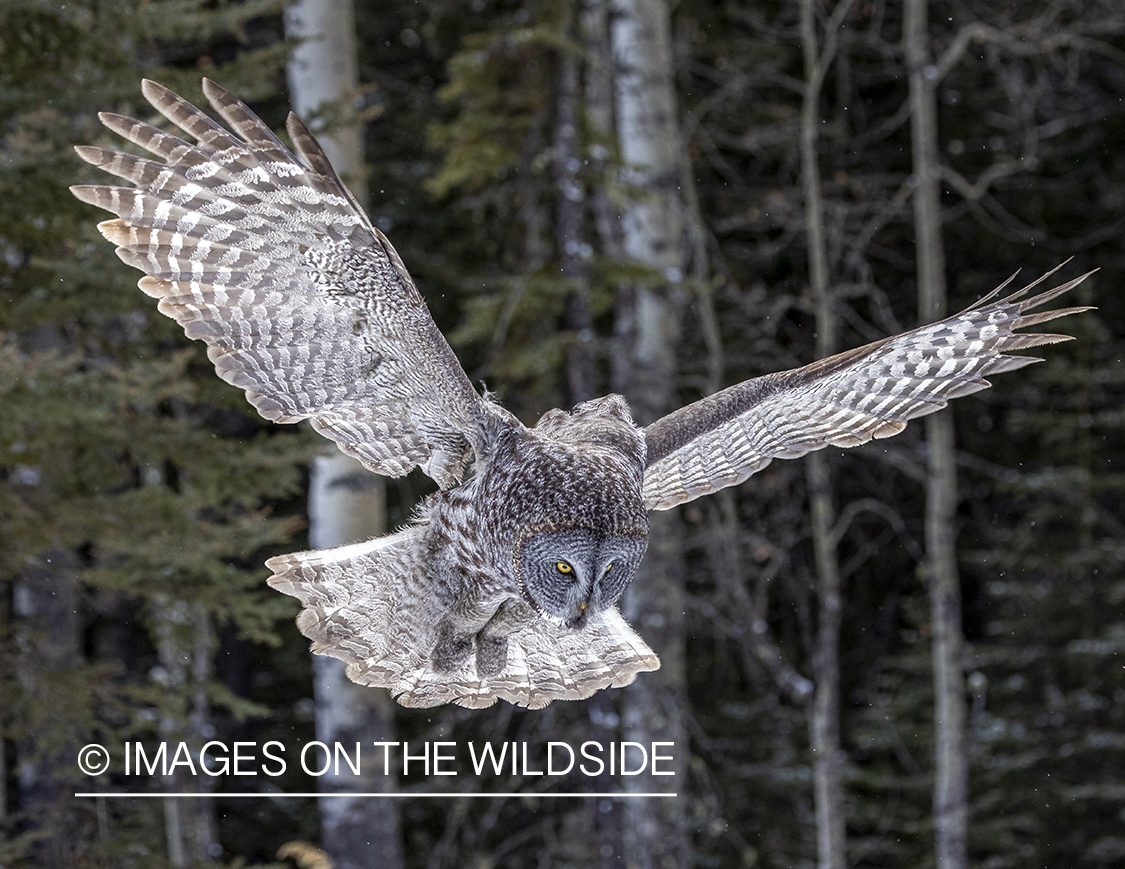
(843,401)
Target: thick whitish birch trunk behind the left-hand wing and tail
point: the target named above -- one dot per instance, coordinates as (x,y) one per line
(346,503)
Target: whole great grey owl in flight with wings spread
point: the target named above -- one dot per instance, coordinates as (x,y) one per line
(506,583)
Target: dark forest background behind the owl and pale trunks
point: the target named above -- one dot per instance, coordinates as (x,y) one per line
(140,496)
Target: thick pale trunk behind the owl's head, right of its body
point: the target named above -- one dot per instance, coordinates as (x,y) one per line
(647,330)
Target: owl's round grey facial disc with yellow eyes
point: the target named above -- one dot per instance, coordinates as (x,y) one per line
(575,574)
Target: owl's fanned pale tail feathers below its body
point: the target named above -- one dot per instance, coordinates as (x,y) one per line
(371,605)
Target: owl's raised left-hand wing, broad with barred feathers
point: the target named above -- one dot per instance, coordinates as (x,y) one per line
(303,303)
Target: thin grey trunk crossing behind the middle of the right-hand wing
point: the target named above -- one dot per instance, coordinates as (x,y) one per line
(824,722)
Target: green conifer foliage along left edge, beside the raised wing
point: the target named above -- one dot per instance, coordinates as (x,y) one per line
(134,495)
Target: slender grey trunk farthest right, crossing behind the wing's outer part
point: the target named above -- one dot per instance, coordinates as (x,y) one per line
(951,786)
